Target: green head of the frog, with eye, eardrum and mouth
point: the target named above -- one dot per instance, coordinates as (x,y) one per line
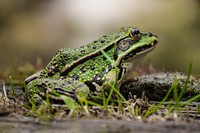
(133,45)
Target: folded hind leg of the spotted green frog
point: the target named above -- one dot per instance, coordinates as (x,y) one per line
(53,90)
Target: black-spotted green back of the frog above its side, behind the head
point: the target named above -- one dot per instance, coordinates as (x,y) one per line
(66,57)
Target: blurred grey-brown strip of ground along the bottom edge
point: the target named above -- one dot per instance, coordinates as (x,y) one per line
(8,124)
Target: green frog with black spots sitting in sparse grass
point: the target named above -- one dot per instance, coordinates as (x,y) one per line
(90,69)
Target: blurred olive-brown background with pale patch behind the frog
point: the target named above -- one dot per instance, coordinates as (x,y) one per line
(31,31)
